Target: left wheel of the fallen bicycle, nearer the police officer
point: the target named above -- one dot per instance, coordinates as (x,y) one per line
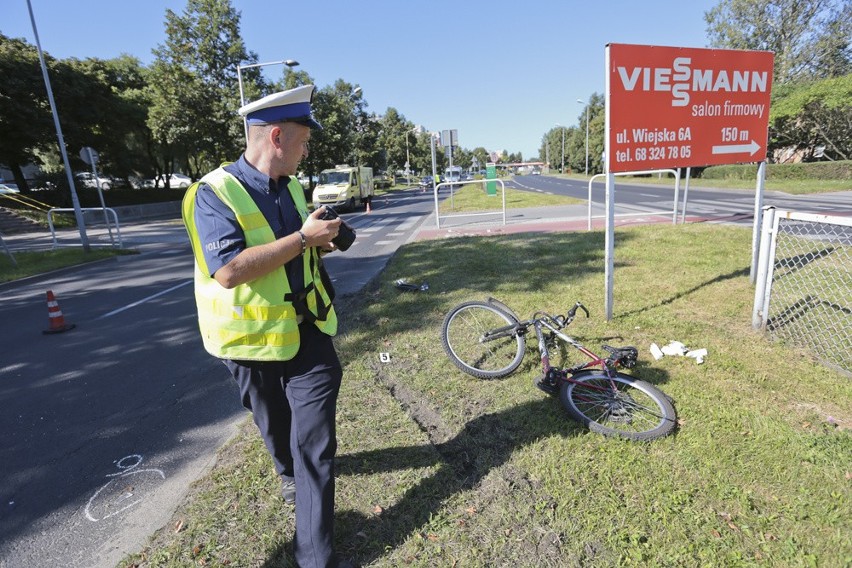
(482,340)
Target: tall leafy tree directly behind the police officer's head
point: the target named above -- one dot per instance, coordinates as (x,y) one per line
(194,88)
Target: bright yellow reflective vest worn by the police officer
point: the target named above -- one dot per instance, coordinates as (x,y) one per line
(256,320)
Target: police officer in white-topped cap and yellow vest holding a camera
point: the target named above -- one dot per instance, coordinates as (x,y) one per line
(265,309)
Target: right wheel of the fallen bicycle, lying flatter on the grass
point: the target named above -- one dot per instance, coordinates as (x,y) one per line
(637,411)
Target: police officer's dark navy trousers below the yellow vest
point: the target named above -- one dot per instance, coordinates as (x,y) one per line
(293,404)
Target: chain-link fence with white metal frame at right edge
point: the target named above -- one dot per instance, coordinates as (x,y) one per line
(804,283)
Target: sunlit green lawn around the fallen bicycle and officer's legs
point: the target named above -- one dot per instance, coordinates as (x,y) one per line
(436,468)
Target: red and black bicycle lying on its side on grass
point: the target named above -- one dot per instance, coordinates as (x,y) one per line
(487,340)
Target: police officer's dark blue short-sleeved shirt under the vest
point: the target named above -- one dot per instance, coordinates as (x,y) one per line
(219,232)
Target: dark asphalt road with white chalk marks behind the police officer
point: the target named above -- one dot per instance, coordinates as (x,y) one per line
(105,426)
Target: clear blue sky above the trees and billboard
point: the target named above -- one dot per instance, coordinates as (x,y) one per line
(501,72)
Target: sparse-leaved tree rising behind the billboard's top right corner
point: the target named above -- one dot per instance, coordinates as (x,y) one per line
(810,38)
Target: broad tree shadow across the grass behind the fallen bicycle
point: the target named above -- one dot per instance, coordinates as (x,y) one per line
(481,267)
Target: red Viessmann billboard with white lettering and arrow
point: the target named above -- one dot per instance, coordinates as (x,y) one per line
(670,107)
